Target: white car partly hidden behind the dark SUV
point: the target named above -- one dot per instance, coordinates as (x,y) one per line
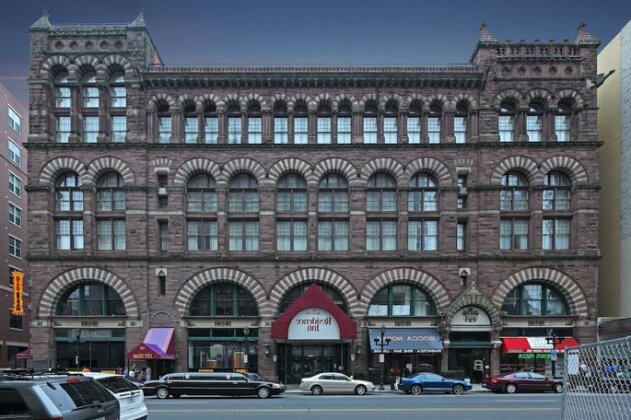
(130,397)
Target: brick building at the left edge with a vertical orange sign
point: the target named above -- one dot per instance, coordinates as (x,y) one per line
(14,328)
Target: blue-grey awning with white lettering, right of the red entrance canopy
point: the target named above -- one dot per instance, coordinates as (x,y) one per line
(407,340)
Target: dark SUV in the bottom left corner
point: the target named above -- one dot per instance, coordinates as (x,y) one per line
(44,396)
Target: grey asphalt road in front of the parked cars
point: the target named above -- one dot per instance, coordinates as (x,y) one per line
(379,406)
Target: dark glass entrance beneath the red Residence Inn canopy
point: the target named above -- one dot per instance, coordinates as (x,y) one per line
(297,361)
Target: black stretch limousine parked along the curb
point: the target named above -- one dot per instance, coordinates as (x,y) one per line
(216,383)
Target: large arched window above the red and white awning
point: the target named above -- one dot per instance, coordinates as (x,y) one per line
(535,299)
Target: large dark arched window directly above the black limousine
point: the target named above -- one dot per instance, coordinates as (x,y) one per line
(223,299)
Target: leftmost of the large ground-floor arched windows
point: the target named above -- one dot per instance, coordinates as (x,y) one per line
(90,299)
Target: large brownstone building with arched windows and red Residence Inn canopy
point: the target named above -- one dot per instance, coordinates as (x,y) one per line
(181,215)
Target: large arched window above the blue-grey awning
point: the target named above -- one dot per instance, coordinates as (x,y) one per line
(402,300)
